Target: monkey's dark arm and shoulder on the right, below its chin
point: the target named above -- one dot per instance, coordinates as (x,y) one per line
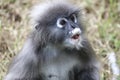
(90,67)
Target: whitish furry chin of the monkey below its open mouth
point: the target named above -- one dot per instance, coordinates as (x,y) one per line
(73,43)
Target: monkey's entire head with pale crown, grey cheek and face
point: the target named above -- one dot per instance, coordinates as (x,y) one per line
(57,23)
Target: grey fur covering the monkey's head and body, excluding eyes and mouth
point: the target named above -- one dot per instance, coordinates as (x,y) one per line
(50,53)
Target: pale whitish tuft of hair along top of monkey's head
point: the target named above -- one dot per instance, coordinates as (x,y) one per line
(38,11)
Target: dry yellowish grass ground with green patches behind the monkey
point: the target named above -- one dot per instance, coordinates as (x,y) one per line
(103,27)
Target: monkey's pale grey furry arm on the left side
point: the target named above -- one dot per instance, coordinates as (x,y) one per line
(25,65)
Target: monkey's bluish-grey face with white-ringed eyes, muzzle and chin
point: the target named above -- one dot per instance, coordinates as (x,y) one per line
(69,31)
